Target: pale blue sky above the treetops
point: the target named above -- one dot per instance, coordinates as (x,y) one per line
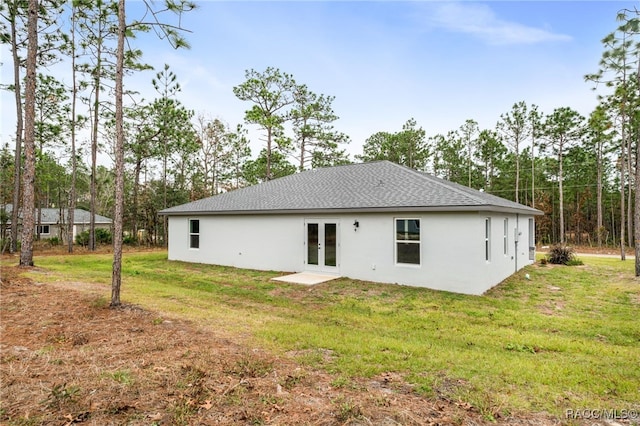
(386,61)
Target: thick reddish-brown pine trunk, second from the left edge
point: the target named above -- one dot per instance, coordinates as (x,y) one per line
(28,182)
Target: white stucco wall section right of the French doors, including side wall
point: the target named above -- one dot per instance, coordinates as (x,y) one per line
(452,251)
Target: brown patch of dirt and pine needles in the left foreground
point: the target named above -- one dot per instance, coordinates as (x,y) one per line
(67,358)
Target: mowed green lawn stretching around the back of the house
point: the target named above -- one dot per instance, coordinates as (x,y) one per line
(567,338)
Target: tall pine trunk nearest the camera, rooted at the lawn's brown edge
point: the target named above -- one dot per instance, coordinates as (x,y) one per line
(116,277)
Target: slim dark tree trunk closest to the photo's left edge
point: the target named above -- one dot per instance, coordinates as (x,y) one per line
(19,125)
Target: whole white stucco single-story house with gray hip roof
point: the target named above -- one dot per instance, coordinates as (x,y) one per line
(376,221)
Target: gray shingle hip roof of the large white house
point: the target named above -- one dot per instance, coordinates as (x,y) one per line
(365,187)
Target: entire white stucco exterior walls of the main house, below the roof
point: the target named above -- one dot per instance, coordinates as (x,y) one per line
(452,246)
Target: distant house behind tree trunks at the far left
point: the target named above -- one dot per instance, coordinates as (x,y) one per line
(53,221)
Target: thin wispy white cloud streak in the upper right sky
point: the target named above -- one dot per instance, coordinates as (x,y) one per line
(479,20)
